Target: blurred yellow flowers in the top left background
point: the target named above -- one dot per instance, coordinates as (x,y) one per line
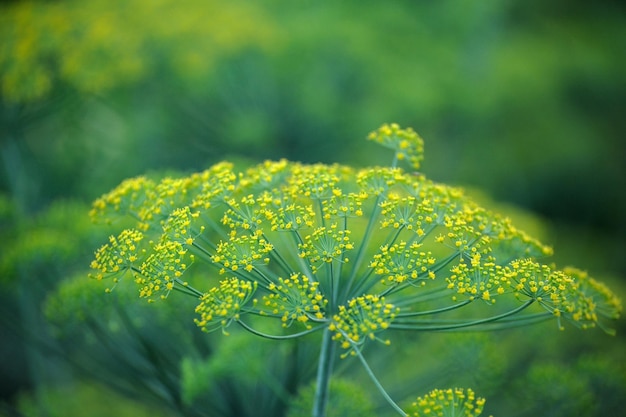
(99,46)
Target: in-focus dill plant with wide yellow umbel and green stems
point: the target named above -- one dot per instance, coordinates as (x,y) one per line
(285,249)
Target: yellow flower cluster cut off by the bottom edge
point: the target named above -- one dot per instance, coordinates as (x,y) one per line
(457,402)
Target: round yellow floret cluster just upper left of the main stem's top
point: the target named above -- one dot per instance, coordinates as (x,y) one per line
(295,299)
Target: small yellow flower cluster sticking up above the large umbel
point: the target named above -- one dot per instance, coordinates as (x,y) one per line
(407,144)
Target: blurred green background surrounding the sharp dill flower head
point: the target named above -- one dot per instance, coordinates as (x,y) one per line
(521,100)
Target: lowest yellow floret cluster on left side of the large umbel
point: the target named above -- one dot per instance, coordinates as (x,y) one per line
(223,304)
